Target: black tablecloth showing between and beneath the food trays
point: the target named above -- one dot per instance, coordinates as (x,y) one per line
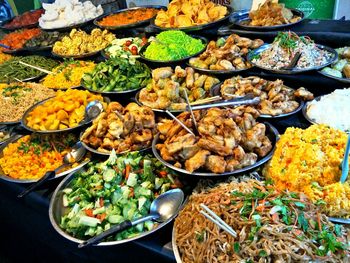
(26,232)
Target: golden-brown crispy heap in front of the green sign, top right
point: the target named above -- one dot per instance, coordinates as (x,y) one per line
(271,13)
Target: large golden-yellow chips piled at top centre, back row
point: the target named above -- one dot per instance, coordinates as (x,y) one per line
(186,13)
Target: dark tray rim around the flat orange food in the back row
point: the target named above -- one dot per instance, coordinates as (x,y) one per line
(132,25)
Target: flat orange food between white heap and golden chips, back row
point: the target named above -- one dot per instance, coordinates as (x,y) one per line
(128,17)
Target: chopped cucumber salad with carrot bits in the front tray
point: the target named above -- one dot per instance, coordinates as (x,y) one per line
(110,192)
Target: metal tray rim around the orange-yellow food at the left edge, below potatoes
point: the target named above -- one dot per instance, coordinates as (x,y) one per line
(13,180)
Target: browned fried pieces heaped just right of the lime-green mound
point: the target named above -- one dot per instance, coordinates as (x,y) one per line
(226,54)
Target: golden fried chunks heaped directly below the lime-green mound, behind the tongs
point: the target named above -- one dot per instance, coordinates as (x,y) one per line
(168,87)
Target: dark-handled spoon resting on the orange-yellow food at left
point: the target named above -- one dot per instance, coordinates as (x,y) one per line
(75,155)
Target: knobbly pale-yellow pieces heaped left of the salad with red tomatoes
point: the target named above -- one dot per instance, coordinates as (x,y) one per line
(79,42)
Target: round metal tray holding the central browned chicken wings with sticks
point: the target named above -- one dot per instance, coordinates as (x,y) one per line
(271,133)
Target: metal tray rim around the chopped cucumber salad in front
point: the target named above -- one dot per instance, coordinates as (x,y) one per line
(56,211)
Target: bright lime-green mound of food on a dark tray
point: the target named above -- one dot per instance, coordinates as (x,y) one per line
(173,45)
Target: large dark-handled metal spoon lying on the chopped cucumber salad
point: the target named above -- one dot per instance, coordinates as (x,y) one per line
(162,208)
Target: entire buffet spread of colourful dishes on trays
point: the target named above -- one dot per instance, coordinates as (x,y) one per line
(152,111)
